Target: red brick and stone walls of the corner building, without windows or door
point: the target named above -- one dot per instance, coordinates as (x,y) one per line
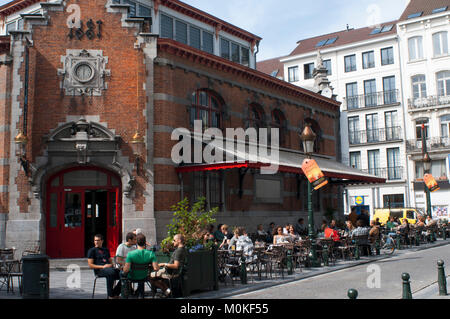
(149,94)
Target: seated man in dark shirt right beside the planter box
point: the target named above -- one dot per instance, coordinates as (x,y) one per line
(171,268)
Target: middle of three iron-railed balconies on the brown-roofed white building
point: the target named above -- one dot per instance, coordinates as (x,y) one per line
(388,134)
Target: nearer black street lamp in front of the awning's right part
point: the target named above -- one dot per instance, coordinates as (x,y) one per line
(308,138)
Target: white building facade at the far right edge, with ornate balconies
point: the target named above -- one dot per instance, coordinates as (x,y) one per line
(423,39)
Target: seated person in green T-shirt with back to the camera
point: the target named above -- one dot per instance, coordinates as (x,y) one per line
(139,256)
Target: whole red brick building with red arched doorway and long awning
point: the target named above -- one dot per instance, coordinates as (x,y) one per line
(90,93)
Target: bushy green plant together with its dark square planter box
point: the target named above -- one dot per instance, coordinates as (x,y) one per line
(201,266)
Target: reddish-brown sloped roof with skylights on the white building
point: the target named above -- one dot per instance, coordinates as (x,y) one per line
(343,37)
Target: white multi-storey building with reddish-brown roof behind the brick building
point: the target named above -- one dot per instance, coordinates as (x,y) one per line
(366,78)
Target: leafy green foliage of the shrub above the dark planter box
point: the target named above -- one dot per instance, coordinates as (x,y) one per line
(189,222)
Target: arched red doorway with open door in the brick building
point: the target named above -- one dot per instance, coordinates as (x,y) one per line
(82,202)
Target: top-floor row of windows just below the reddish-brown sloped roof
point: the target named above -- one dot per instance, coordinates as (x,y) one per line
(368,61)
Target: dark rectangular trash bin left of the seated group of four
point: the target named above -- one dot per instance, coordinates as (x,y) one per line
(33,266)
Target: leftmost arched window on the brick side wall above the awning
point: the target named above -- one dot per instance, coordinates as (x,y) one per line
(206,107)
